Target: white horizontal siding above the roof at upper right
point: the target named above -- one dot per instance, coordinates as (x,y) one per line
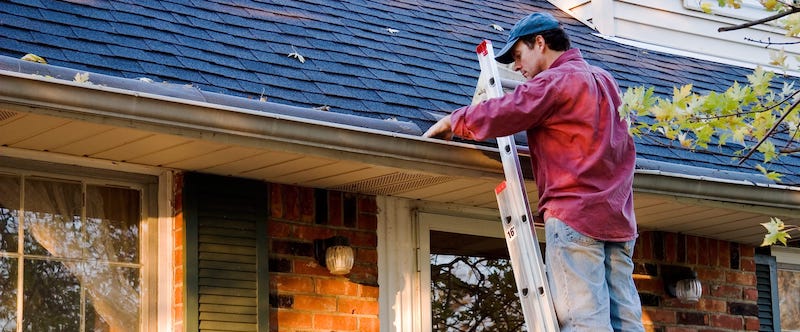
(670,24)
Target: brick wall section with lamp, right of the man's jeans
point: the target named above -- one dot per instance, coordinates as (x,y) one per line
(727,273)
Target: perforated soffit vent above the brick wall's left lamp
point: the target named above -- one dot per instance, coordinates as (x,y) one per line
(392,183)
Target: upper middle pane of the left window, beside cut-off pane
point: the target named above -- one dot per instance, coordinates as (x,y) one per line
(52,223)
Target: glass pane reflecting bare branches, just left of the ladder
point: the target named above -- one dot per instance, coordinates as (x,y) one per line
(472,284)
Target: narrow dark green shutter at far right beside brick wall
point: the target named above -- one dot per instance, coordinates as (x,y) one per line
(767,284)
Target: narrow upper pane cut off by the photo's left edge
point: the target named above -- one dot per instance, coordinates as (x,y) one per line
(9,212)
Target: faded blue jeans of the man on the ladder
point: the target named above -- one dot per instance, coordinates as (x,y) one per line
(591,281)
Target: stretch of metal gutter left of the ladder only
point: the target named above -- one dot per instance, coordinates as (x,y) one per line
(214,122)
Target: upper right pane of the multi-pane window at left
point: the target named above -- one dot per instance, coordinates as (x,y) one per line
(113,224)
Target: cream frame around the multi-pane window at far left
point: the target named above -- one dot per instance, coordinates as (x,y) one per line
(146,185)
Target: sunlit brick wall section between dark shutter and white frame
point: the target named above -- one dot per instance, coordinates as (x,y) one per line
(304,296)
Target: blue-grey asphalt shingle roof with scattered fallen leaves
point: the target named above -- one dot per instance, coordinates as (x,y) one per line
(410,60)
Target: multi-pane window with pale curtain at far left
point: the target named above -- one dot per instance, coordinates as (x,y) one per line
(70,255)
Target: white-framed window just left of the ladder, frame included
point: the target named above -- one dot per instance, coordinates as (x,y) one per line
(466,275)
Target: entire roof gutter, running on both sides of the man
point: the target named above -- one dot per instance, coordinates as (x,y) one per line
(263,129)
